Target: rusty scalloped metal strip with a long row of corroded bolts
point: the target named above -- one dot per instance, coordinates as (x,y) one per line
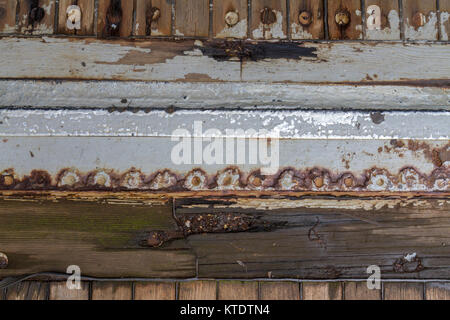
(232,179)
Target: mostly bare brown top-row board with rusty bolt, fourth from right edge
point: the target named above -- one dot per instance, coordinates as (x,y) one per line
(351,31)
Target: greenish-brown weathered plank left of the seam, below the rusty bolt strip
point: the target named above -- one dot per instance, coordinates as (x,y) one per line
(97,236)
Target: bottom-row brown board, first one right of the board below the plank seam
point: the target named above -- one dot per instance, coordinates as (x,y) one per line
(238,290)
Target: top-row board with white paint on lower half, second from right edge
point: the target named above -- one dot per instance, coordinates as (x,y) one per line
(420,20)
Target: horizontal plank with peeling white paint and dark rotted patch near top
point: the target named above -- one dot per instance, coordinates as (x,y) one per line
(184,61)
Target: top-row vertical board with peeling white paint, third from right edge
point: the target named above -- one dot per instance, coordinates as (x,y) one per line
(390,20)
